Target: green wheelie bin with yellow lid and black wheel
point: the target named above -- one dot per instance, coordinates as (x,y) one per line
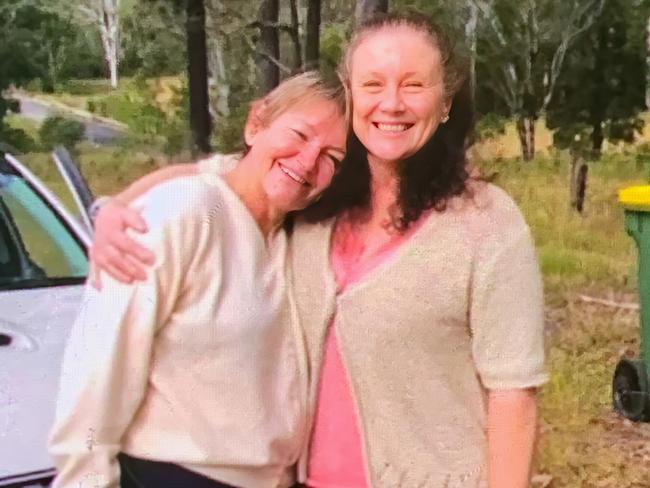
(630,384)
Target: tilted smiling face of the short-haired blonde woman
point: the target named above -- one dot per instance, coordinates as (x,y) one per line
(298,152)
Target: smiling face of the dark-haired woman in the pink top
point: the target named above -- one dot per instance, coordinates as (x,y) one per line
(398,93)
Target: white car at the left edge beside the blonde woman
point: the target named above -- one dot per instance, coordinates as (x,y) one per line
(43,266)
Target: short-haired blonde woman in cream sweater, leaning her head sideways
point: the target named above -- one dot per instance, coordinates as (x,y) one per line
(196,375)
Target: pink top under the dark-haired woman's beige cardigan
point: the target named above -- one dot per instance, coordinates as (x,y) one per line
(336,455)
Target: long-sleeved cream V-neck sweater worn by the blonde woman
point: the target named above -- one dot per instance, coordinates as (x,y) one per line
(199,364)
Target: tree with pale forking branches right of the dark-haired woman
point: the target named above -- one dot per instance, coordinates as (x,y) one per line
(521,53)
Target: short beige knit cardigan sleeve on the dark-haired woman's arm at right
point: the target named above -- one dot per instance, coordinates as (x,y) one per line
(506,311)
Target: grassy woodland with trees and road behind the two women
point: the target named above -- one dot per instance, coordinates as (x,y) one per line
(562,91)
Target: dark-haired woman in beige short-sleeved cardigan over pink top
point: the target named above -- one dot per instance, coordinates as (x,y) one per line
(417,287)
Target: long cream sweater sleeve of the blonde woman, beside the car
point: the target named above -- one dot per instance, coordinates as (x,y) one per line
(106,363)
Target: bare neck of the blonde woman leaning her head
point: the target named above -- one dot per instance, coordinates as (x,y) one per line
(251,192)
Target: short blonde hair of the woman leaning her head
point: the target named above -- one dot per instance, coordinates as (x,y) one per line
(299,89)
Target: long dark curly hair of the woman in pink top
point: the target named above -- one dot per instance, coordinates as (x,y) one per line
(437,171)
